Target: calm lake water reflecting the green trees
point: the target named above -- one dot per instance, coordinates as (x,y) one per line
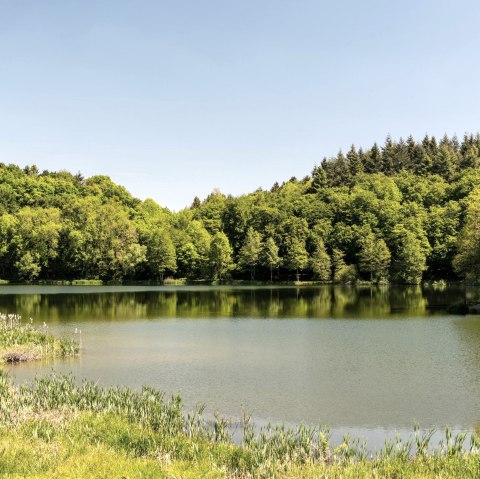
(368,361)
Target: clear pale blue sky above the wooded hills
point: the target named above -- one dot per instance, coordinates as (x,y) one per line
(174,98)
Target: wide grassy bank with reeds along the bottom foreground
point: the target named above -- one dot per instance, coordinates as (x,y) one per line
(55,427)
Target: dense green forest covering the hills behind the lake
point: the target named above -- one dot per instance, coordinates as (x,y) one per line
(403,212)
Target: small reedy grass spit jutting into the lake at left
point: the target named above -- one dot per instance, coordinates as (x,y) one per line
(21,341)
